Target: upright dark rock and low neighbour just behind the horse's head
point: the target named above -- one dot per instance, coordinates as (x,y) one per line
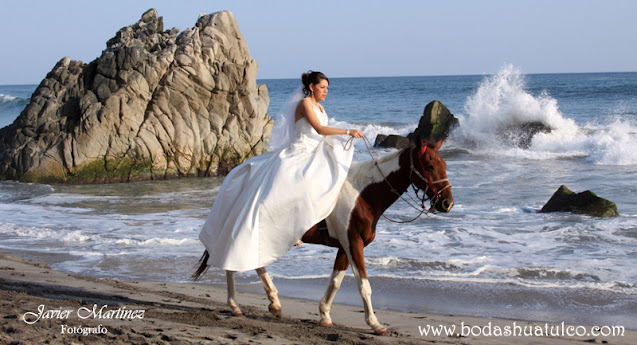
(435,124)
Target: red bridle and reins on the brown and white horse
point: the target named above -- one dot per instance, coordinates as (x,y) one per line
(426,178)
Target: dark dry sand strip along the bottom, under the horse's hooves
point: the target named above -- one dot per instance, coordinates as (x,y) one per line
(123,312)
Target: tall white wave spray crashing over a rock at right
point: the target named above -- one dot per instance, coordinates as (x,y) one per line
(502,102)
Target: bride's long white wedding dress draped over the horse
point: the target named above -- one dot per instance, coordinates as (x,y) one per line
(267,203)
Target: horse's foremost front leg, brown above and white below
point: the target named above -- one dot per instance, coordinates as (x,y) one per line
(357,260)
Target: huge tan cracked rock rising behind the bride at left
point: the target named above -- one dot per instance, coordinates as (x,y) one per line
(155,104)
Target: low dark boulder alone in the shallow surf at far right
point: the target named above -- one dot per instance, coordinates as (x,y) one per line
(565,200)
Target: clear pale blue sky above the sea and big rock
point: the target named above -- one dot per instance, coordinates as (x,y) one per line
(345,38)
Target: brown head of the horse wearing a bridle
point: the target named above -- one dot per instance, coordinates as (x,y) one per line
(429,173)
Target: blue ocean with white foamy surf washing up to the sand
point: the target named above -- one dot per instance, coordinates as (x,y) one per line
(493,255)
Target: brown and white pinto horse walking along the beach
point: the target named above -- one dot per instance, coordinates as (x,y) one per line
(370,188)
